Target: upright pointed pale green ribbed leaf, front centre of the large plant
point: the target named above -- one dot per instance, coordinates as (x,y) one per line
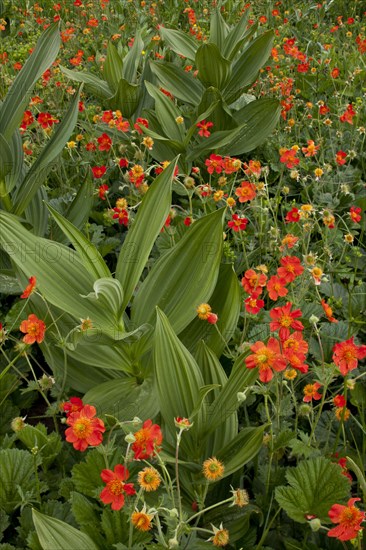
(178,381)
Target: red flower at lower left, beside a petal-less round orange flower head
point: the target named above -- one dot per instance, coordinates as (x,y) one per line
(113,492)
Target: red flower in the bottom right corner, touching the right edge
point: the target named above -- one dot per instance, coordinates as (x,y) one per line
(349,519)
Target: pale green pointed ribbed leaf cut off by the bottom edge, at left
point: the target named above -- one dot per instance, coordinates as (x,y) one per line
(55,534)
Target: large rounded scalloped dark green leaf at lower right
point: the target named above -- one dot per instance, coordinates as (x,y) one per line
(314,486)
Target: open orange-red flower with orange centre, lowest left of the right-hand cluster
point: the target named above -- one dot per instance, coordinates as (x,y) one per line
(266,357)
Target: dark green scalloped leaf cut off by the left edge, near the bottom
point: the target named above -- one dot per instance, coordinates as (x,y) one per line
(17,470)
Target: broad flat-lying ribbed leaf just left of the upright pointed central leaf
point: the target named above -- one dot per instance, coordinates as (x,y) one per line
(125,399)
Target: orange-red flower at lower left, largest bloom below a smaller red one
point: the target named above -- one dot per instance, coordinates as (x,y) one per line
(85,430)
